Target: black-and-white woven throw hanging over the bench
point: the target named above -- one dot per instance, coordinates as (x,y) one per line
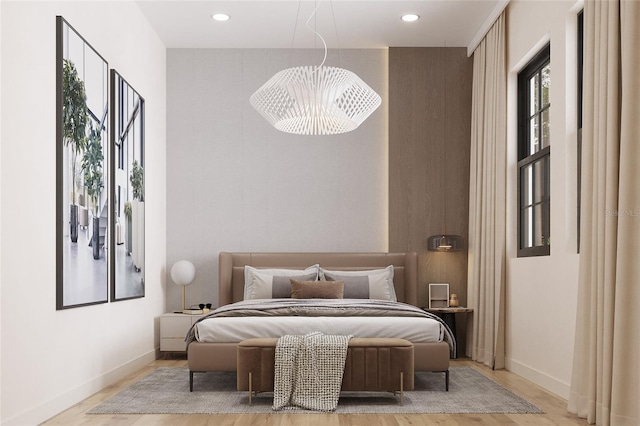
(308,371)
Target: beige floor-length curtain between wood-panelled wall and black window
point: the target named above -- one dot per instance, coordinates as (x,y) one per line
(487,201)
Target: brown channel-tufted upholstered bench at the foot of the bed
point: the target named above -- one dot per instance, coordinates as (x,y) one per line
(373,364)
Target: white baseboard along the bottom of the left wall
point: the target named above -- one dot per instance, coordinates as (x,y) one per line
(66,400)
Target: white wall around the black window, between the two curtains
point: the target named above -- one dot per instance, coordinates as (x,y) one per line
(542,291)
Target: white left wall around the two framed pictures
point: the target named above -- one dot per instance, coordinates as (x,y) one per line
(53,359)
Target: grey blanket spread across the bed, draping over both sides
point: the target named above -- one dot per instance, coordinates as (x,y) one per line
(323,307)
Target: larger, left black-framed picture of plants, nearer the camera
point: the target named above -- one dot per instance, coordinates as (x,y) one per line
(82,190)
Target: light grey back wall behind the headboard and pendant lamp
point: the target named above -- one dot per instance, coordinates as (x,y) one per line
(237,184)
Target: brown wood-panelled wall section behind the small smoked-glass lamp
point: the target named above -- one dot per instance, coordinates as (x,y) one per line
(428,163)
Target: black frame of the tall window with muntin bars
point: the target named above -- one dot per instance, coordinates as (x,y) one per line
(526,158)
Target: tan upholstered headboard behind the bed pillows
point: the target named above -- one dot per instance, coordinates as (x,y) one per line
(231,272)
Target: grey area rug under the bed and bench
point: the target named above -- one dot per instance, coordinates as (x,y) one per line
(166,391)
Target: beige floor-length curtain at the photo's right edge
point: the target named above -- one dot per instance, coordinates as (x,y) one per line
(605,386)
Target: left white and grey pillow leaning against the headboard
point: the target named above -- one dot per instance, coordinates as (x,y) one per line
(258,283)
